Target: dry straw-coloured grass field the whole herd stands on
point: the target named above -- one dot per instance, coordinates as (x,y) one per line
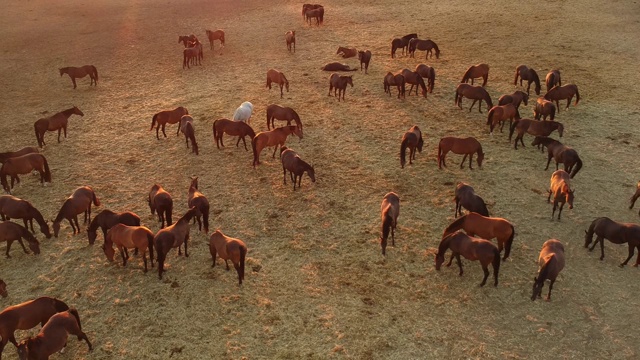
(316,285)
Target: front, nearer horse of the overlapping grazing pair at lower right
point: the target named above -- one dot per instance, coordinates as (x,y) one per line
(472,249)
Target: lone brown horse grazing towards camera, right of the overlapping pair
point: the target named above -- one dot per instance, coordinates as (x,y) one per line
(550,262)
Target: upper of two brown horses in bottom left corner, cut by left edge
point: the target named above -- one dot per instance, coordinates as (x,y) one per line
(27,315)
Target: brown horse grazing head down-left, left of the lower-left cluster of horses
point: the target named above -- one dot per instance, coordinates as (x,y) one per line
(79,202)
